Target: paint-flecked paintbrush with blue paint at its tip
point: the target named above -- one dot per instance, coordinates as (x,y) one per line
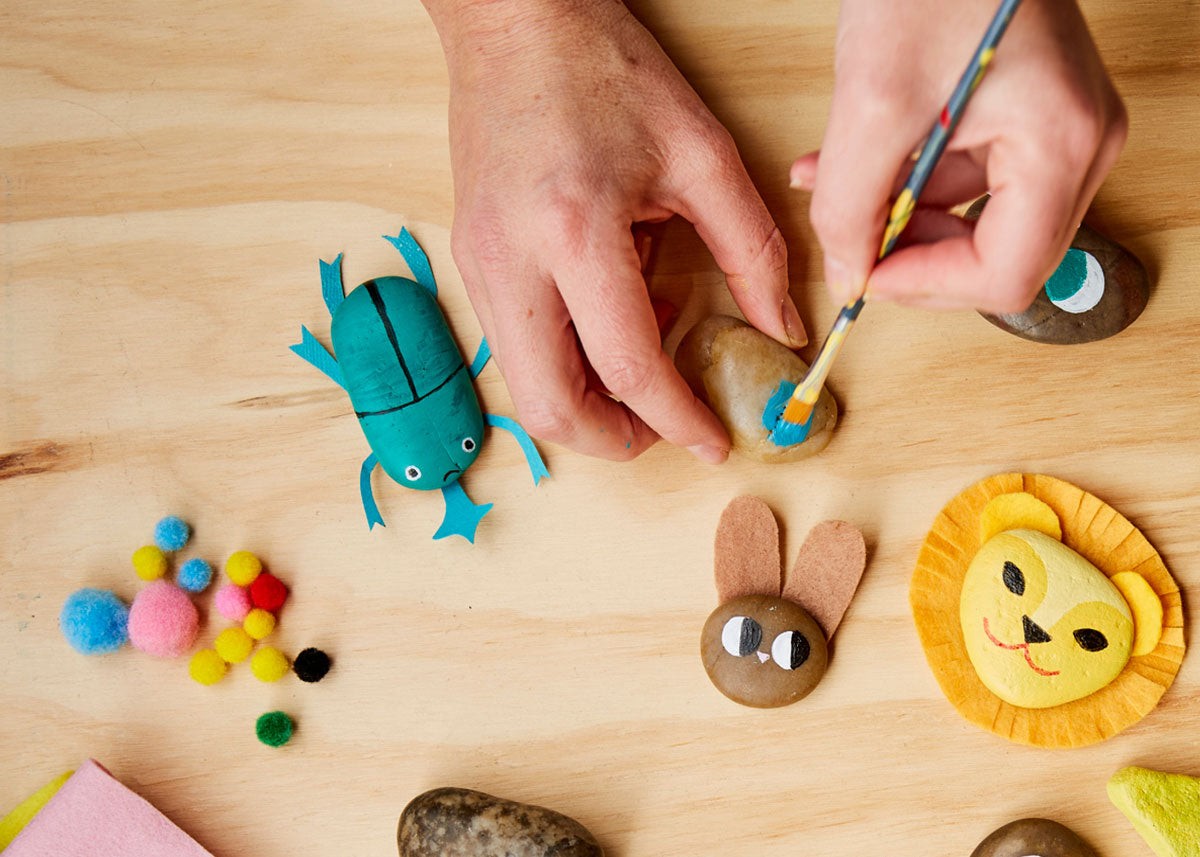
(793,421)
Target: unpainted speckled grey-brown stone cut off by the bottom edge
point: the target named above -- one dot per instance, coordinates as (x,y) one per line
(460,823)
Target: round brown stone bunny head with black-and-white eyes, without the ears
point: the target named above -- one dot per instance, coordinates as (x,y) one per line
(764,651)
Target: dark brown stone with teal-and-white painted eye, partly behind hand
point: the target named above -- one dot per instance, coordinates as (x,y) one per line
(1097,291)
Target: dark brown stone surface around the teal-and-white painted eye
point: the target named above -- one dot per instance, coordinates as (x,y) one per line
(1126,295)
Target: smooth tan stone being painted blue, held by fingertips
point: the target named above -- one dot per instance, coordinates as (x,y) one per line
(736,369)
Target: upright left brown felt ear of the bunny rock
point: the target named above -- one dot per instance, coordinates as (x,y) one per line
(747,552)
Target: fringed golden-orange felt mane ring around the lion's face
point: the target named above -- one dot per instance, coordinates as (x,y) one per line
(1100,535)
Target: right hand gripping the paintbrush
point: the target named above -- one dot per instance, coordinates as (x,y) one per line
(1040,135)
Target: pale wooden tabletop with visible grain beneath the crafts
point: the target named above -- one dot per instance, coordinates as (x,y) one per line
(172,173)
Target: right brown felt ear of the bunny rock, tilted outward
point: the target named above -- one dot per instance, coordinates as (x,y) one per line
(827,573)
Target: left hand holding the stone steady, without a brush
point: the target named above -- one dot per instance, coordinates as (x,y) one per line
(568,125)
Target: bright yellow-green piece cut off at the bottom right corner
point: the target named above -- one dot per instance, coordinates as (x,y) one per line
(1163,808)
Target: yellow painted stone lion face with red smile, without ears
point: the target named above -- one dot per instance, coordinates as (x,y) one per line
(1042,626)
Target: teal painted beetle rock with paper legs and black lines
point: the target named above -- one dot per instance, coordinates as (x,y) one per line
(410,386)
